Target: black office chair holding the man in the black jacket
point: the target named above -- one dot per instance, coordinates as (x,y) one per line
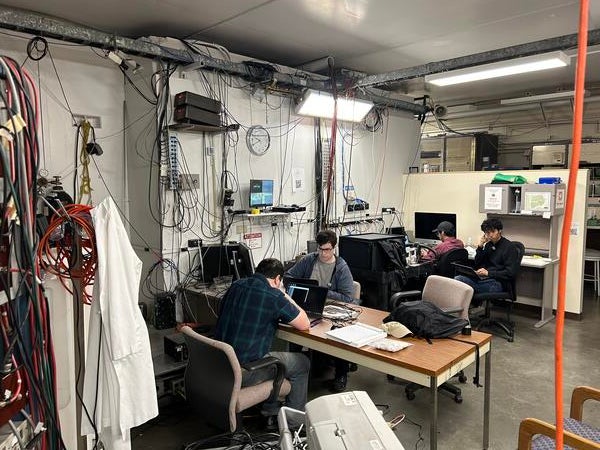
(503,299)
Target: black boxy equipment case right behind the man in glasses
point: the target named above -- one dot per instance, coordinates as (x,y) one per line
(363,251)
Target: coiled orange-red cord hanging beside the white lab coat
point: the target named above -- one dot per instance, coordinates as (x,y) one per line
(56,255)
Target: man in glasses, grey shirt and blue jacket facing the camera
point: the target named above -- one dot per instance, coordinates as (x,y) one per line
(332,272)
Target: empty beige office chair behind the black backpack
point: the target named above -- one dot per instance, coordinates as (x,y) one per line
(451,296)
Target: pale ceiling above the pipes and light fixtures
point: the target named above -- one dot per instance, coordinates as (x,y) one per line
(369,36)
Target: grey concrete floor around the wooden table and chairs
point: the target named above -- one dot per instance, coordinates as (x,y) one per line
(522,386)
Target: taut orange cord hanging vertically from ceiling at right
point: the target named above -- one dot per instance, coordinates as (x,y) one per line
(565,235)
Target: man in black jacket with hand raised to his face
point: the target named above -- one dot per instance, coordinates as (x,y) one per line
(496,260)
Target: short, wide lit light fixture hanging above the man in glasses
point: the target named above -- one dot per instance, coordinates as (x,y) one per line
(321,104)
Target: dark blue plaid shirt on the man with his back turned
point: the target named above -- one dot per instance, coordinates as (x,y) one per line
(250,312)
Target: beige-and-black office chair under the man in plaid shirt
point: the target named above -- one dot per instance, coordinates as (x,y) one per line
(213,380)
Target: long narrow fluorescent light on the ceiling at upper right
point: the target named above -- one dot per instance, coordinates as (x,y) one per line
(500,69)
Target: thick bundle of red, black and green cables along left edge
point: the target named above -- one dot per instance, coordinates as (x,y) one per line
(28,371)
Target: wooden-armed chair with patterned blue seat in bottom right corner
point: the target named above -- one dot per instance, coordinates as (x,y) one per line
(535,434)
